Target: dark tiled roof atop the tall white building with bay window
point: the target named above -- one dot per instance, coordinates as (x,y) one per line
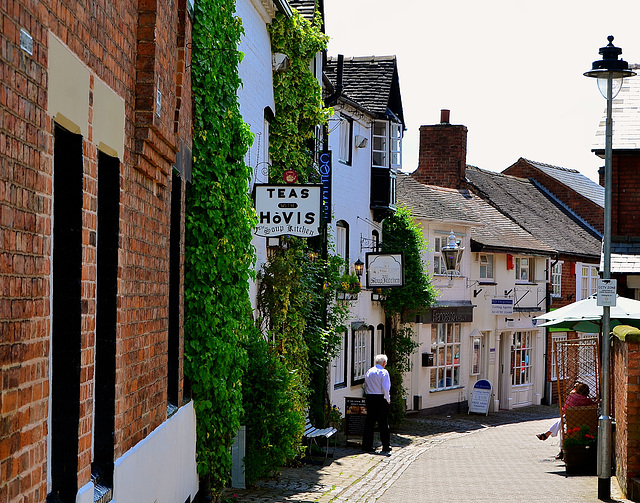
(369,81)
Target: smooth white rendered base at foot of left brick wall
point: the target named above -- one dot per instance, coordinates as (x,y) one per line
(162,467)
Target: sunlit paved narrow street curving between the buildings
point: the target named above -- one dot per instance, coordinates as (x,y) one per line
(470,458)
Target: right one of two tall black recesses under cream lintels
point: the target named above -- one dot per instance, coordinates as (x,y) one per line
(106,318)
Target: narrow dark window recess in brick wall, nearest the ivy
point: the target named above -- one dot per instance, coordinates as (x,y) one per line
(174,294)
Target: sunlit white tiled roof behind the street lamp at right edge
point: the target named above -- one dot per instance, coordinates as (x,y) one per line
(625,114)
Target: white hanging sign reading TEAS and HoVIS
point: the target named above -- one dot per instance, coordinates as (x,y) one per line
(288,210)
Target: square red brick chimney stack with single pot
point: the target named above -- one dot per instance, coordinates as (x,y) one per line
(442,159)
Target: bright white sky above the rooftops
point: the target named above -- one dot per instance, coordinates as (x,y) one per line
(509,70)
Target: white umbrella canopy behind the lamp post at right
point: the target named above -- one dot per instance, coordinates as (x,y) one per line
(586,316)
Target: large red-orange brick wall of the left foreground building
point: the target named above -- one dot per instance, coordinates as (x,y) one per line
(122,47)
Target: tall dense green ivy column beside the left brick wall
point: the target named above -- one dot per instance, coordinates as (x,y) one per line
(219,258)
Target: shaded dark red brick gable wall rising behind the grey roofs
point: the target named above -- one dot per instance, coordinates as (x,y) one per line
(582,206)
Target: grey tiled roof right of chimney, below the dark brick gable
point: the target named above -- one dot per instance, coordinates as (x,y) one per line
(536,211)
